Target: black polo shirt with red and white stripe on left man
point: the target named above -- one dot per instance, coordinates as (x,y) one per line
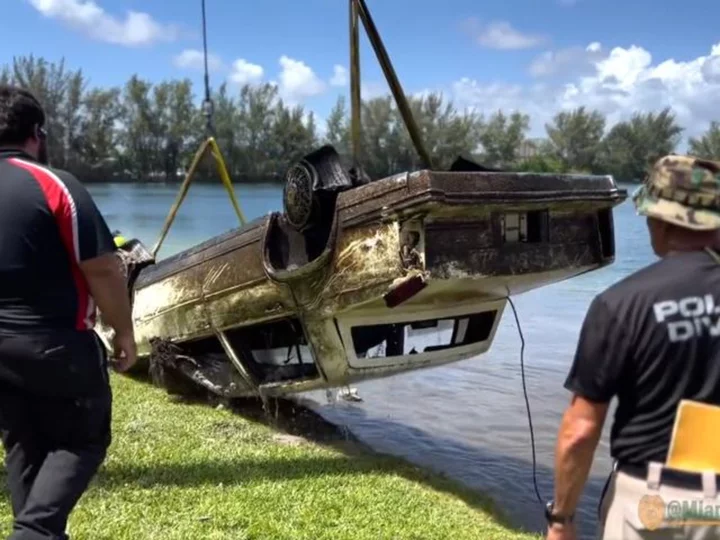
(48,225)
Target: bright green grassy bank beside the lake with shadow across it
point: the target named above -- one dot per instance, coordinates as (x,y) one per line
(192,472)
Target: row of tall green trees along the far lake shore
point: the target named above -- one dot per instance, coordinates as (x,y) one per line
(149,132)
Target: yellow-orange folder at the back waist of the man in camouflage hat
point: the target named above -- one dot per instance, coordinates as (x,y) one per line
(695,442)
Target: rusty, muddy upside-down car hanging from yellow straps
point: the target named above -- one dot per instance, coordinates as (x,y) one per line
(360,280)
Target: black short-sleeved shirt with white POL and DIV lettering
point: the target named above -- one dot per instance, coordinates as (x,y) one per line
(652,339)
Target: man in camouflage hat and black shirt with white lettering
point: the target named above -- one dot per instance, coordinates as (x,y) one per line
(651,340)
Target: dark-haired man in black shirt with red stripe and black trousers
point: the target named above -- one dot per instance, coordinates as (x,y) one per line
(56,263)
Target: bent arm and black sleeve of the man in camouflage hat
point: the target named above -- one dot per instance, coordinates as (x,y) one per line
(593,379)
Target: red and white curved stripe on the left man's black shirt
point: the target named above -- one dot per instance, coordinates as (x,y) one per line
(64,210)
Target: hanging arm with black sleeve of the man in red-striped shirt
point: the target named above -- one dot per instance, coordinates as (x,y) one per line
(97,259)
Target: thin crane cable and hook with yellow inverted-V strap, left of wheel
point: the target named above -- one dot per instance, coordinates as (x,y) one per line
(209,145)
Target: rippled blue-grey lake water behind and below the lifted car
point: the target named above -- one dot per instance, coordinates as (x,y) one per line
(467,420)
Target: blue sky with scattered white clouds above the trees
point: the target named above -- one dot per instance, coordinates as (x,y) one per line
(536,55)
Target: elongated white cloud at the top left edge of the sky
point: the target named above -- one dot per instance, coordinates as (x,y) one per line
(136,29)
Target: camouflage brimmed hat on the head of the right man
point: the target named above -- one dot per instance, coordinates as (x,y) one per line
(682,190)
